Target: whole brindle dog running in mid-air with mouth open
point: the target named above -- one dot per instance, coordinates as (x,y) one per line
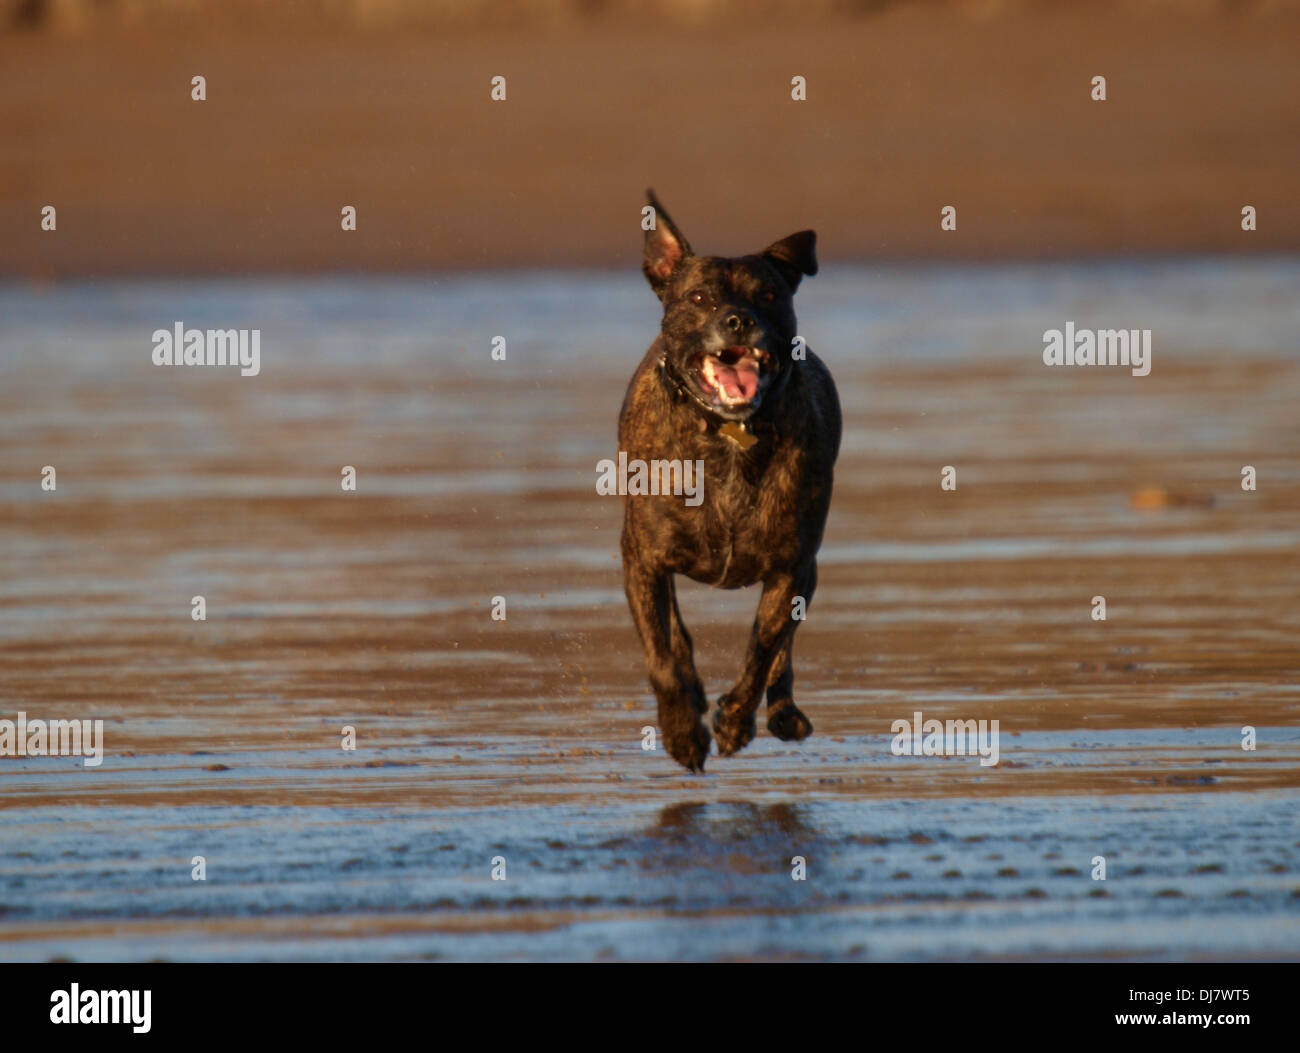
(722,385)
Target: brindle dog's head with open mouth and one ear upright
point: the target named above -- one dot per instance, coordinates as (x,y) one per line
(729,324)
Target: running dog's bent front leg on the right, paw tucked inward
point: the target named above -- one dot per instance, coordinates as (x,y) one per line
(774,627)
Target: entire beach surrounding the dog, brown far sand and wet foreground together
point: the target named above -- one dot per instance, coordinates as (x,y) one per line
(501,803)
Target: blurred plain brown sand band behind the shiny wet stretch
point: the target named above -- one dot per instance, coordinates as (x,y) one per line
(911,109)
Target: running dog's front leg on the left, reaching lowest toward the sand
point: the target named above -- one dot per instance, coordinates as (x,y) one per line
(673,675)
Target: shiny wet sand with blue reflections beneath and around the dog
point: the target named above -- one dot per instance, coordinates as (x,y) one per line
(522,739)
